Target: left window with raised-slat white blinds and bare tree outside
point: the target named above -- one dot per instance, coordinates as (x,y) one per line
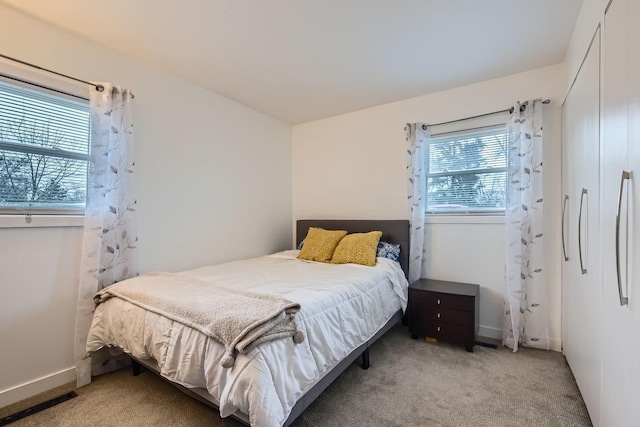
(44,142)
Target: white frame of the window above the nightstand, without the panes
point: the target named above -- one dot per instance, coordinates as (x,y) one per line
(471,215)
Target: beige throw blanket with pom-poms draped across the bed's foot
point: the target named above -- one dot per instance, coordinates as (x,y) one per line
(237,319)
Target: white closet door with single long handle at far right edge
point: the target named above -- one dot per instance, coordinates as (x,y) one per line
(621,215)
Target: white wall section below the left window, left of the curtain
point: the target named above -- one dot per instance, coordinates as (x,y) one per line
(38,273)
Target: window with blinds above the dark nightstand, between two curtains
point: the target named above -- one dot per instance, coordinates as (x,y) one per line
(467,172)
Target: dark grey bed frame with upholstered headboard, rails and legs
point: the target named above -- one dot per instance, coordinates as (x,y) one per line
(393,231)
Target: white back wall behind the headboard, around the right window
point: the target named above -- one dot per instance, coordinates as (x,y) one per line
(354,166)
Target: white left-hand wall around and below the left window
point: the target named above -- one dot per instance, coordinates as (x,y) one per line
(214,184)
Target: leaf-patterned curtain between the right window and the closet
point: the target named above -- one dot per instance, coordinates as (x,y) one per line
(525,291)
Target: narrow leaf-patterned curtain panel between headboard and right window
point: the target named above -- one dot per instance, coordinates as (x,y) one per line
(417,136)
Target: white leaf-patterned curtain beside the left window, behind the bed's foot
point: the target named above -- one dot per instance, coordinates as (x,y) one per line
(110,236)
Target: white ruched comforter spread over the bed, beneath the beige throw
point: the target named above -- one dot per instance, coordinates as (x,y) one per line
(342,306)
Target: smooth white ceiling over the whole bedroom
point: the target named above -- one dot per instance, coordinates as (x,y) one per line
(303,60)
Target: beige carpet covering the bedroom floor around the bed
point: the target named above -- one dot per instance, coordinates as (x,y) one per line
(410,383)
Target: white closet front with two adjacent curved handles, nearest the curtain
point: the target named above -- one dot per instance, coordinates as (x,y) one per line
(581,294)
